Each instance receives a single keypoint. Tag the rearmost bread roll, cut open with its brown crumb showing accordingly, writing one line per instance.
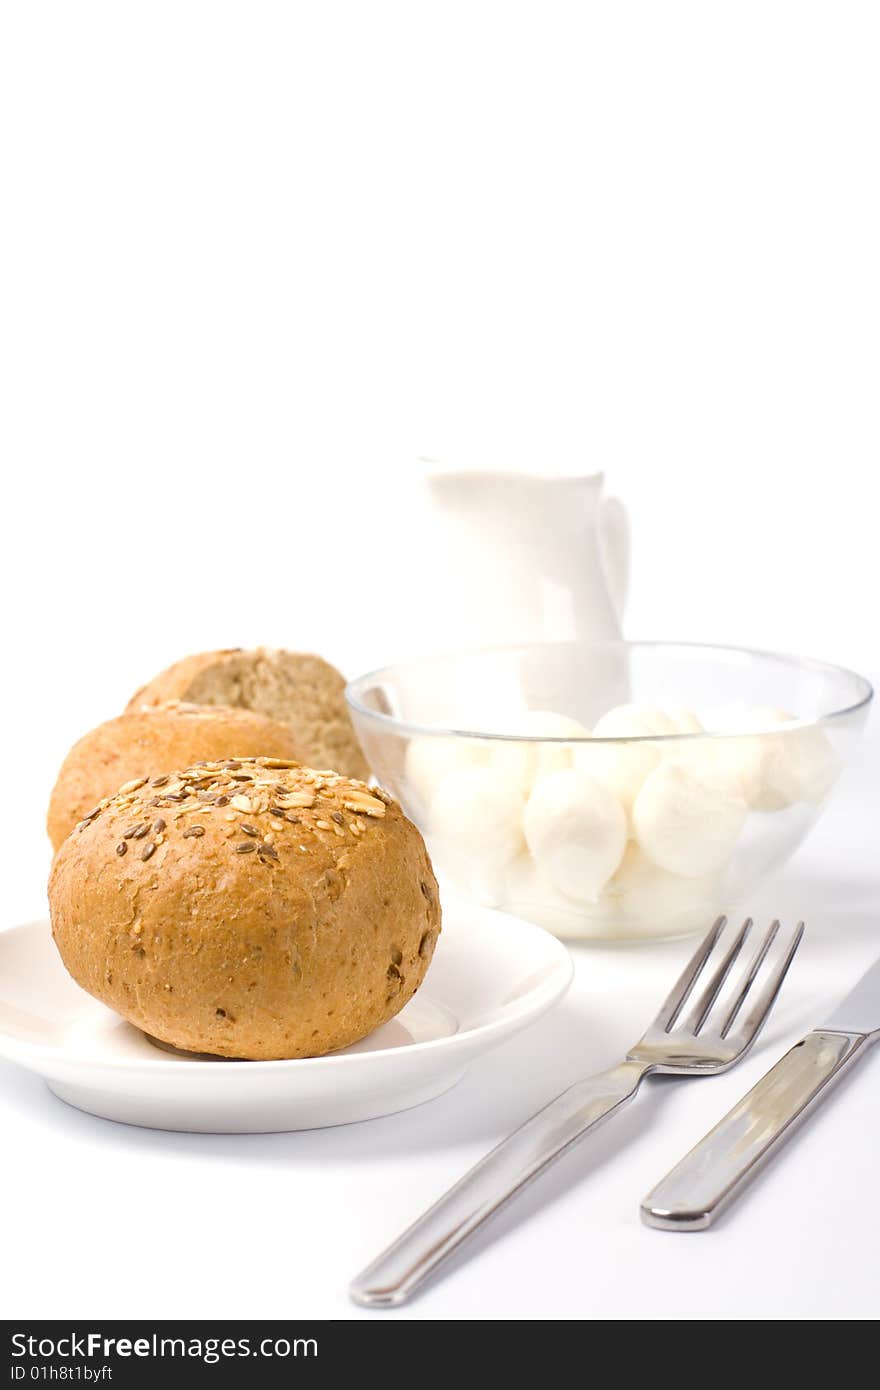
(297, 689)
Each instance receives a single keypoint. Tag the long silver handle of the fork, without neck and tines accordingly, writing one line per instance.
(419, 1252)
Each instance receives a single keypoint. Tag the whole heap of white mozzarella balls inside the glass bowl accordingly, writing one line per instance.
(628, 837)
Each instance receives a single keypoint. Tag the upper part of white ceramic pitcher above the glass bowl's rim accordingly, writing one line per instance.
(525, 558)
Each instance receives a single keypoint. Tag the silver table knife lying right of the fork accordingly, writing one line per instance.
(703, 1185)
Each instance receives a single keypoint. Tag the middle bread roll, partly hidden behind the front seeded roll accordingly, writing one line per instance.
(149, 743)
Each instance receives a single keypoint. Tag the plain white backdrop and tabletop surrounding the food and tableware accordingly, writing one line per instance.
(258, 258)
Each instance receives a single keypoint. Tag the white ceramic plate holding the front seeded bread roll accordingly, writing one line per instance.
(491, 976)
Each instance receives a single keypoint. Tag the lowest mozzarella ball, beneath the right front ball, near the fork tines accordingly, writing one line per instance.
(654, 903)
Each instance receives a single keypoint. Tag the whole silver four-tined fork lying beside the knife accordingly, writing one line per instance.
(700, 1045)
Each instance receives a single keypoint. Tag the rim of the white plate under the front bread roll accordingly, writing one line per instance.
(519, 1014)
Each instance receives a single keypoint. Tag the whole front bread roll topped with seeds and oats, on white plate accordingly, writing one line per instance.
(248, 908)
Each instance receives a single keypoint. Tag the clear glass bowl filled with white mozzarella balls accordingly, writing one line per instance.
(639, 833)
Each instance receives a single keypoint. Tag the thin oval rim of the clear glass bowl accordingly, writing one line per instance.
(807, 664)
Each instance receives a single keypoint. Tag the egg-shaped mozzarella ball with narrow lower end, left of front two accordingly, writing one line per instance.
(576, 832)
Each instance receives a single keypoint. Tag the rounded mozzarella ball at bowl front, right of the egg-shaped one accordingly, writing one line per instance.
(685, 825)
